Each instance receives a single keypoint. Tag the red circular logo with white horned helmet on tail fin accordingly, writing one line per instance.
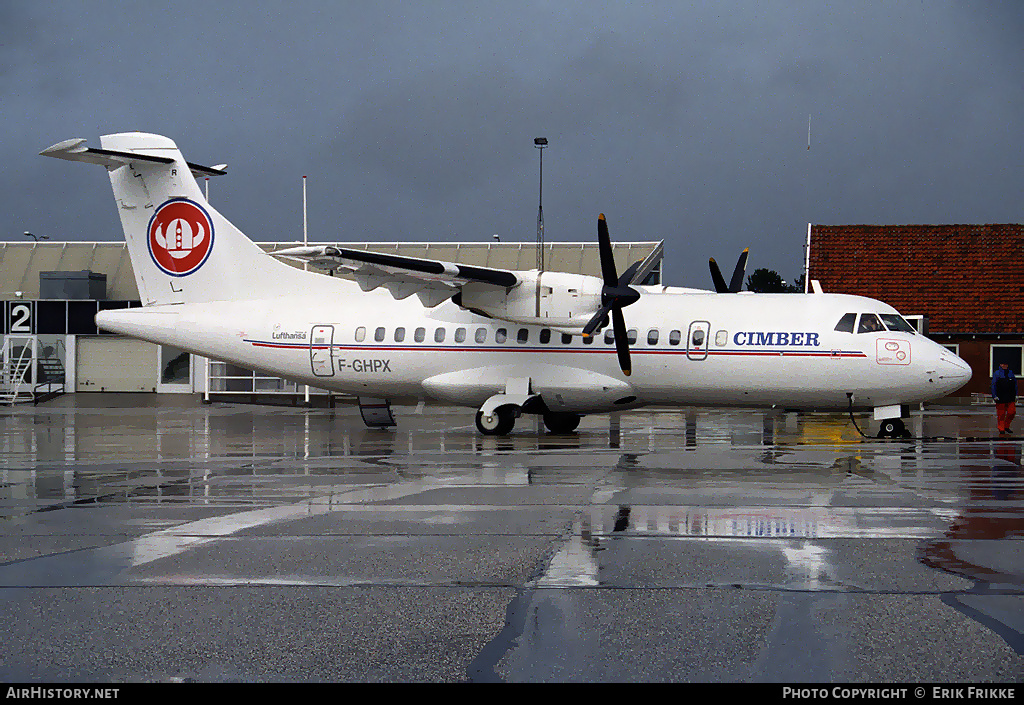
(181, 237)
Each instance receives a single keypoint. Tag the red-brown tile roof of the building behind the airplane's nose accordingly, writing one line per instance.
(968, 279)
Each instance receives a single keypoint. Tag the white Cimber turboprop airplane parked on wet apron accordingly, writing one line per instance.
(505, 343)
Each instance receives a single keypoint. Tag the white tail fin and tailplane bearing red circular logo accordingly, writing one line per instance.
(183, 250)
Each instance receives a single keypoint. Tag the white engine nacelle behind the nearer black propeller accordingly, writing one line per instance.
(568, 302)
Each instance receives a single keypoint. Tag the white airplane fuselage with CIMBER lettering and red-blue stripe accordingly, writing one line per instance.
(691, 349)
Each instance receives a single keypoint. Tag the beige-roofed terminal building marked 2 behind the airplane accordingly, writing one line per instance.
(51, 293)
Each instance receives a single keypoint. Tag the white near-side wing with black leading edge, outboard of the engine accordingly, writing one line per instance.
(434, 281)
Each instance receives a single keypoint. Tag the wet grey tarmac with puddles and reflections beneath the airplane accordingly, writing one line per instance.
(149, 538)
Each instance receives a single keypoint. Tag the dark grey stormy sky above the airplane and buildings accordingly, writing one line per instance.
(684, 122)
